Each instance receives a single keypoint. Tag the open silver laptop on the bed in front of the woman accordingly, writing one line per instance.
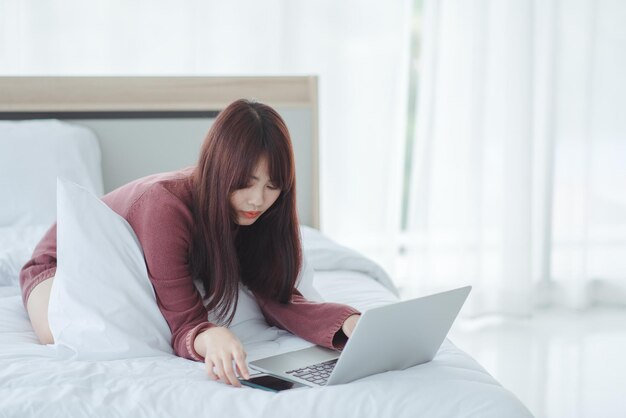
(390, 337)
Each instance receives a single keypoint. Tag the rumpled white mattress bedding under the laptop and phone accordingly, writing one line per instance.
(36, 380)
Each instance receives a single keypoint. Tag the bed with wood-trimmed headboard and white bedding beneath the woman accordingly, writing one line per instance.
(137, 126)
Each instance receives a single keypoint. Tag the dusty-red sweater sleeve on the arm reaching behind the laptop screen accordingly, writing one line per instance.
(319, 323)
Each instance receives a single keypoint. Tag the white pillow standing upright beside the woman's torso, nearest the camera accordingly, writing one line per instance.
(102, 304)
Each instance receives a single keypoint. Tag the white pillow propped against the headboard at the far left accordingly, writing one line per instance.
(32, 154)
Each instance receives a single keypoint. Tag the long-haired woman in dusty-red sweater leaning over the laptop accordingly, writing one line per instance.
(232, 218)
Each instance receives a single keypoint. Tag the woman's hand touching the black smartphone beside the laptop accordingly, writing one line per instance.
(221, 347)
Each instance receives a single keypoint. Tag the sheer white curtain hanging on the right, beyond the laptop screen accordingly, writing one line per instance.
(519, 169)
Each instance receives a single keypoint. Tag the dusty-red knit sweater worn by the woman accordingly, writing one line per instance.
(158, 208)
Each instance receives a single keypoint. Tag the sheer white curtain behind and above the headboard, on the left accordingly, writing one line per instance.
(358, 48)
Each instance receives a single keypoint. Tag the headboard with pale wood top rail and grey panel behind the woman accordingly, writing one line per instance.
(152, 124)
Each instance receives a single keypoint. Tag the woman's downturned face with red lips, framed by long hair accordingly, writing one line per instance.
(259, 195)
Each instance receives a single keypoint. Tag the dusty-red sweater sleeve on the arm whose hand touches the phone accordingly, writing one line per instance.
(163, 226)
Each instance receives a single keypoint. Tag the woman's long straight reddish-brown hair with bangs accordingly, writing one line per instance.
(265, 256)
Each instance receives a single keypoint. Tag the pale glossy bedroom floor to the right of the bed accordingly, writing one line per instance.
(558, 363)
